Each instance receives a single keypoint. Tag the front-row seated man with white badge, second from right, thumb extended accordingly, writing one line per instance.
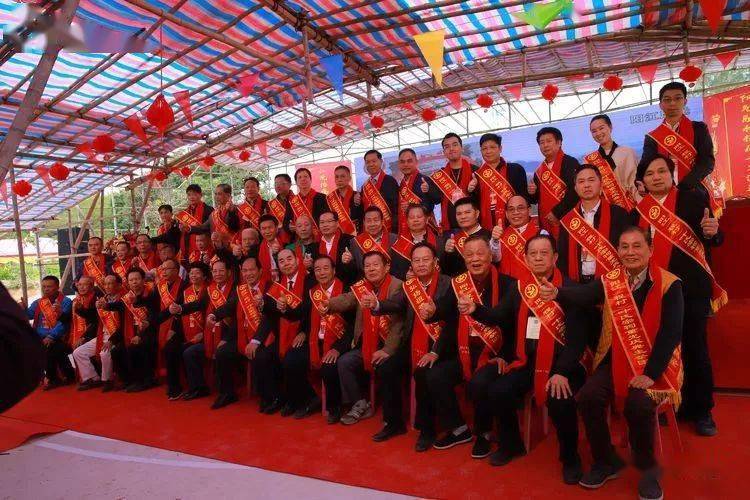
(546, 348)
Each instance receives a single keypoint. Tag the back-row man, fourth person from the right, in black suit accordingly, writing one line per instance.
(496, 182)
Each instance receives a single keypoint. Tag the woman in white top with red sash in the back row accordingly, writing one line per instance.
(616, 163)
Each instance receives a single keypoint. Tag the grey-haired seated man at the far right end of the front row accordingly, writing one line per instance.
(636, 362)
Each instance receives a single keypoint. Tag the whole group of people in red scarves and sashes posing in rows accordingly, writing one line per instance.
(599, 302)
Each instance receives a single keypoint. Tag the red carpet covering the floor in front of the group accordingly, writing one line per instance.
(709, 468)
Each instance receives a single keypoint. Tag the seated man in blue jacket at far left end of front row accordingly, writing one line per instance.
(51, 321)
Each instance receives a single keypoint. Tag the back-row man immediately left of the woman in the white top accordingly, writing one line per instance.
(554, 181)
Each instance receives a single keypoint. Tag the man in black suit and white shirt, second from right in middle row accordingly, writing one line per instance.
(607, 219)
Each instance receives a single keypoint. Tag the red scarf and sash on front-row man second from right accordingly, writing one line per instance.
(552, 319)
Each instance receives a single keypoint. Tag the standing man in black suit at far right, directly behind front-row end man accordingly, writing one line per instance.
(698, 290)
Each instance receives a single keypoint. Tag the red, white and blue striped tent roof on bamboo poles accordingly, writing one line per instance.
(211, 49)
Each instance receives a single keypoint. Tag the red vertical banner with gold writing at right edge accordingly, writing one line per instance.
(728, 118)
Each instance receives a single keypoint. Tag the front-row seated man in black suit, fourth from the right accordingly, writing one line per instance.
(426, 283)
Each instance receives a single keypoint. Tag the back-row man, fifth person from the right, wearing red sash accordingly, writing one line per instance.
(453, 180)
